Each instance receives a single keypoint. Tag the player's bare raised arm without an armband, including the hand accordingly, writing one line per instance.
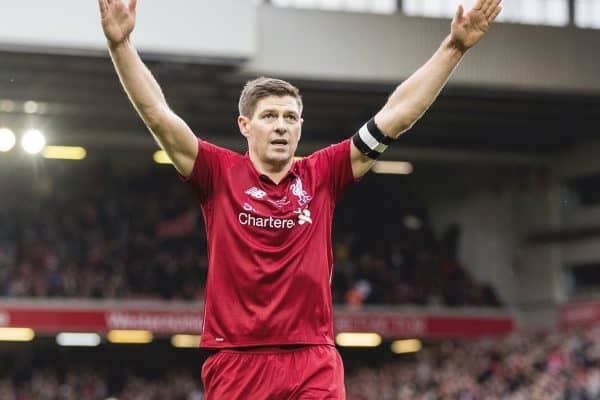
(171, 132)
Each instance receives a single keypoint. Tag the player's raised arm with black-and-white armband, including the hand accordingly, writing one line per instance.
(414, 96)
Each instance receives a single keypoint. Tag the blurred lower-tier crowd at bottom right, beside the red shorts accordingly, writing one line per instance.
(524, 367)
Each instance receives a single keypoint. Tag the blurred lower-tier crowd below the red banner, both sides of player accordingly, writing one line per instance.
(563, 366)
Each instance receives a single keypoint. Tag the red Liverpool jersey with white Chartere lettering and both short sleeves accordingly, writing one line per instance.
(269, 247)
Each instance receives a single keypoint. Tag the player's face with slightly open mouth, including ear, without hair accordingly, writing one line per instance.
(273, 131)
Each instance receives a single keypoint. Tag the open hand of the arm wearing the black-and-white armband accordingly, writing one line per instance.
(469, 28)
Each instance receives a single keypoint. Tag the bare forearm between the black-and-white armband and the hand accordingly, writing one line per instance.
(414, 96)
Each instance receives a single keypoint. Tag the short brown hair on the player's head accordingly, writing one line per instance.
(262, 87)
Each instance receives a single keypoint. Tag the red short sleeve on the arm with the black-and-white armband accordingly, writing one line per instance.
(334, 164)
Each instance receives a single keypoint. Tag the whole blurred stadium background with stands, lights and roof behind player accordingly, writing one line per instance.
(468, 263)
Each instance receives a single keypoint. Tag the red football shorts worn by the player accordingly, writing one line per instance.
(307, 372)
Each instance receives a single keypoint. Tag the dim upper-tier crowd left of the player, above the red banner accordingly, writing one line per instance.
(98, 234)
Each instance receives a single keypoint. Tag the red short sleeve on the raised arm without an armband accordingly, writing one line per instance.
(208, 167)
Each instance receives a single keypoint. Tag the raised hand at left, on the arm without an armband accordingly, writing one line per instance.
(118, 20)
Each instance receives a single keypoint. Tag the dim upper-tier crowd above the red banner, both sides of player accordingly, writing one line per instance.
(94, 232)
